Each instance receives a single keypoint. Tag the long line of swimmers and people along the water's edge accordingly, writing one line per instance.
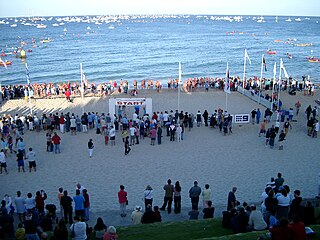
(72, 89)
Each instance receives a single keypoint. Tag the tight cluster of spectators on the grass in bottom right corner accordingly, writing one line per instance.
(282, 212)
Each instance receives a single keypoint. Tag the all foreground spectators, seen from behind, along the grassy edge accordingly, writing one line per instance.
(282, 212)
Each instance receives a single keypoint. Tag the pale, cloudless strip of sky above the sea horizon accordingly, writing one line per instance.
(18, 8)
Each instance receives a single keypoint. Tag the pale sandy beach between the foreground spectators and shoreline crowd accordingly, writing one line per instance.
(240, 159)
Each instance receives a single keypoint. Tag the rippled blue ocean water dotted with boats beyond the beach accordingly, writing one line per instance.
(132, 47)
